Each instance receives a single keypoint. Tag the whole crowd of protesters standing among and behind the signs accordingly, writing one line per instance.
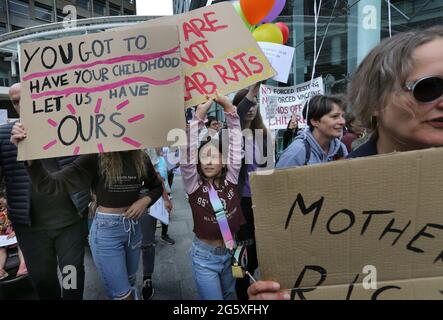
(394, 103)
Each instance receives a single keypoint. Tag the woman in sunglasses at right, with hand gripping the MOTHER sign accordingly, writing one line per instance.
(397, 92)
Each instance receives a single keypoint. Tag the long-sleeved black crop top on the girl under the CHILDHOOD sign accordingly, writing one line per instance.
(84, 173)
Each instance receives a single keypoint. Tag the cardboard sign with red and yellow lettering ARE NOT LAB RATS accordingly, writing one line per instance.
(218, 52)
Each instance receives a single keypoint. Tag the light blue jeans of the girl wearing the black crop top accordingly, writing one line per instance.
(115, 245)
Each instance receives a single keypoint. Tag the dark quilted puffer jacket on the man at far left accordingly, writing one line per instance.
(18, 184)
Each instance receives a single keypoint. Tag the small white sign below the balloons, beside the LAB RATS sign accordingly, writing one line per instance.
(280, 57)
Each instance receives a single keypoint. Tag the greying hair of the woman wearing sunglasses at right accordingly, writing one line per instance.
(380, 78)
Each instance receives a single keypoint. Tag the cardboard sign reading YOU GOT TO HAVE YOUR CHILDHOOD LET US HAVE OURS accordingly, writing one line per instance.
(110, 91)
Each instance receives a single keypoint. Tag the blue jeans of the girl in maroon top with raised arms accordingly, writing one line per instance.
(211, 268)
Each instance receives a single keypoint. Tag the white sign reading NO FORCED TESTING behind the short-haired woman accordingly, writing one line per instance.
(290, 100)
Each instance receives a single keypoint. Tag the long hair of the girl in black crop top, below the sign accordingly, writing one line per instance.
(111, 165)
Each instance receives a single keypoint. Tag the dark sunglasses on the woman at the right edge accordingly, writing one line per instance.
(426, 90)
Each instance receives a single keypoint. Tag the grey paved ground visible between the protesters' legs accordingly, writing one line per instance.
(172, 274)
